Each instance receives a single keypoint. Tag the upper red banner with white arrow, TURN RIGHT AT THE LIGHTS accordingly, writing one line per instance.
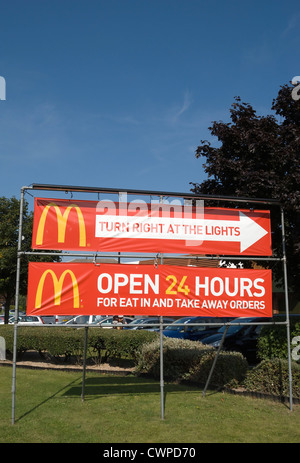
(105, 226)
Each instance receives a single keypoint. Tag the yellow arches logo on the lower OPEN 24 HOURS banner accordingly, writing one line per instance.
(57, 283)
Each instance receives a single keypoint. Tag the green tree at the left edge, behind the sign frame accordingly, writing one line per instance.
(9, 233)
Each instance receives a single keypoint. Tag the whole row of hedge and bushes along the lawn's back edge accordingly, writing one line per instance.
(184, 361)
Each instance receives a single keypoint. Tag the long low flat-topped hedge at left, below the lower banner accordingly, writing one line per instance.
(64, 343)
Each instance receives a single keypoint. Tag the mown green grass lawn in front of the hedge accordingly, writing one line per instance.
(127, 409)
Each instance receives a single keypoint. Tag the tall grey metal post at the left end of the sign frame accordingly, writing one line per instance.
(13, 389)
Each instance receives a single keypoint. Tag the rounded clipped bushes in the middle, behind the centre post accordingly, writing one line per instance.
(190, 361)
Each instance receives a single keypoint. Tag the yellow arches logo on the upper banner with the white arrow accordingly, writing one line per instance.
(61, 224)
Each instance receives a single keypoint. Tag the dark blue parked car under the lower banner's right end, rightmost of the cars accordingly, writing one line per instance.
(240, 338)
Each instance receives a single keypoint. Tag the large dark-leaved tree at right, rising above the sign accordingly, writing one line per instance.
(259, 157)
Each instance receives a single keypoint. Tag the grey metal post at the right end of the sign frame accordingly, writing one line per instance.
(287, 310)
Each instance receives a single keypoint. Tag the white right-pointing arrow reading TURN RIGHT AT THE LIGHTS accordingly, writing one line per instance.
(245, 231)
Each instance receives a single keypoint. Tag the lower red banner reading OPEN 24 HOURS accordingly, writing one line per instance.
(130, 289)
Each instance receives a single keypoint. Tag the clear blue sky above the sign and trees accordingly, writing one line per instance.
(119, 93)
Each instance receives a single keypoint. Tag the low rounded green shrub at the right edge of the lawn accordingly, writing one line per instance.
(272, 377)
